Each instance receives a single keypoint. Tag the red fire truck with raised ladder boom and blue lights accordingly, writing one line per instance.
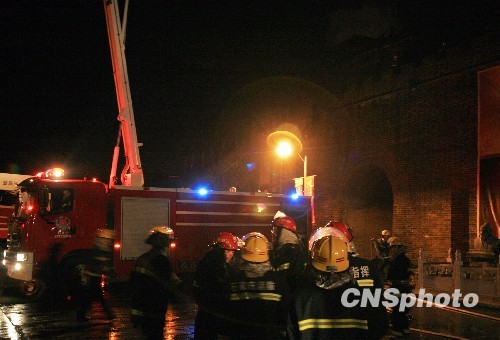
(56, 219)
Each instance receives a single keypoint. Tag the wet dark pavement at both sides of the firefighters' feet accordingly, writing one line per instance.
(55, 319)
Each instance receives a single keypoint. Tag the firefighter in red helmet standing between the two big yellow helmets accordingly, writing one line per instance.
(288, 255)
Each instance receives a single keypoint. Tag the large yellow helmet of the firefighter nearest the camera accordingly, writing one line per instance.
(329, 254)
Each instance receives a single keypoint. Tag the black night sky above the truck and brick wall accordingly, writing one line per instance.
(185, 60)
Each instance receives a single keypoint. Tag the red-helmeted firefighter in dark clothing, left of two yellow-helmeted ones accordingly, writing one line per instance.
(211, 286)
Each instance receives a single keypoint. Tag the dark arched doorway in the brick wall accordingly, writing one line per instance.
(368, 204)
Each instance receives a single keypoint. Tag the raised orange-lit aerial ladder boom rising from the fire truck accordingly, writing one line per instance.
(132, 172)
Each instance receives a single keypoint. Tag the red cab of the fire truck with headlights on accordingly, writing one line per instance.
(54, 222)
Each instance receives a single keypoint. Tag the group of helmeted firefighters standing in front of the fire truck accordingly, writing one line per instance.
(255, 288)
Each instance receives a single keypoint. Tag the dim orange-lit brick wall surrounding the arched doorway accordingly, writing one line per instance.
(420, 128)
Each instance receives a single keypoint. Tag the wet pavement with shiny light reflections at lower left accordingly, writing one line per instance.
(57, 320)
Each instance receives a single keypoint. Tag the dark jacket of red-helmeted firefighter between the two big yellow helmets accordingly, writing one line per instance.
(289, 260)
